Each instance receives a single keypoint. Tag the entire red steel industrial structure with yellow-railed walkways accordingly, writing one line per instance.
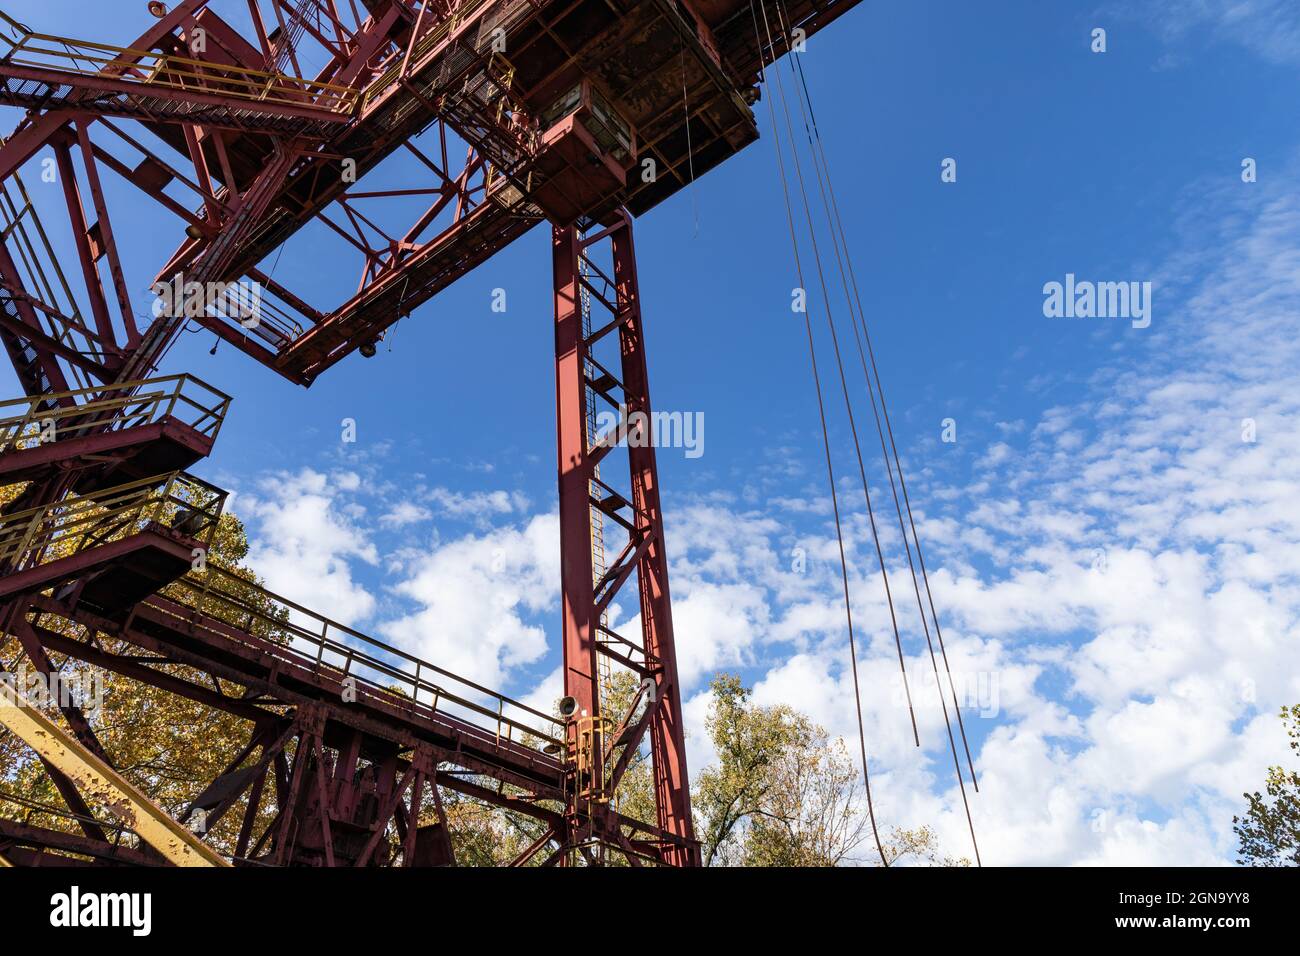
(245, 126)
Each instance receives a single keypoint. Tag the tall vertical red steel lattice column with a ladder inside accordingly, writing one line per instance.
(590, 590)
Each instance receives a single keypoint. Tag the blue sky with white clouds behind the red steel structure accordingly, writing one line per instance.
(1110, 557)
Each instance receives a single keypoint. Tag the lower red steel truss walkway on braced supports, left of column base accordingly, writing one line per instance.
(352, 784)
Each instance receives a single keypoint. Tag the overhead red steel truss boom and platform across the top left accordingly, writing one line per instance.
(231, 113)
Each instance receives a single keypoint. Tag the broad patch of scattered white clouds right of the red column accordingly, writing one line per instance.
(1128, 569)
